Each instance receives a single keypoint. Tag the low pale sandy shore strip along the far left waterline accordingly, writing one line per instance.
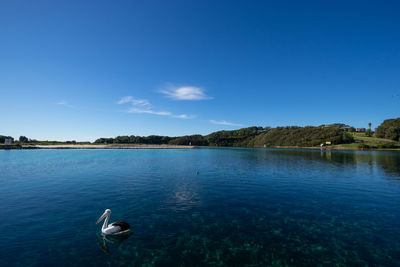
(110, 146)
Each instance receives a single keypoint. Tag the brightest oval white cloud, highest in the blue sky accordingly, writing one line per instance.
(185, 93)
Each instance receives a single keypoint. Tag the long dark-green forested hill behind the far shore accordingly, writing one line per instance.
(247, 137)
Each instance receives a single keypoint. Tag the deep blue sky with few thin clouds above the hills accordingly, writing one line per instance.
(87, 69)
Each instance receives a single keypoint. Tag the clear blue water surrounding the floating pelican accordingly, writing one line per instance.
(246, 206)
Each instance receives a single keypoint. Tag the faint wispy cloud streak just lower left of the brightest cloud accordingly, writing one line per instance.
(143, 106)
